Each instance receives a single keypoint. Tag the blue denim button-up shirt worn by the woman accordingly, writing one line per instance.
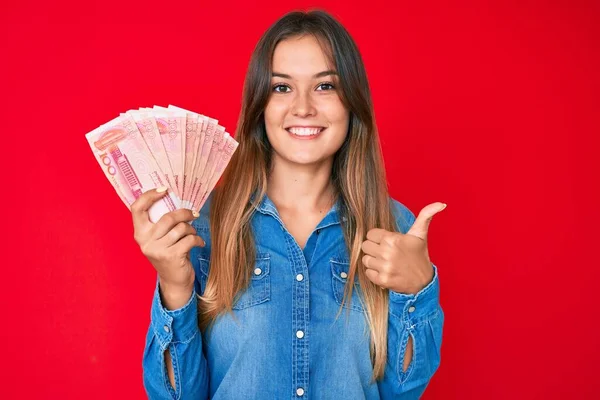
(283, 340)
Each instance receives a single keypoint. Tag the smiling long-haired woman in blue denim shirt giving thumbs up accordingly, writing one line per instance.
(303, 209)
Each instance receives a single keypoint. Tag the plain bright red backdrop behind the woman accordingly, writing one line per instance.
(491, 108)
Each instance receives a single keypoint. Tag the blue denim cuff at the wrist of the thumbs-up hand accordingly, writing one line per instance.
(416, 306)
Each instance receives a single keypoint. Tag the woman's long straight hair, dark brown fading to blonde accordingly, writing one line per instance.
(358, 177)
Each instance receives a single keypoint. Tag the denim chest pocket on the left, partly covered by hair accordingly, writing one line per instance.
(259, 289)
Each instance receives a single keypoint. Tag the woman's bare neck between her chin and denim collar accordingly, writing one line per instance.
(301, 187)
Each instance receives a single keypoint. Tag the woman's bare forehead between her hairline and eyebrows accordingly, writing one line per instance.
(300, 56)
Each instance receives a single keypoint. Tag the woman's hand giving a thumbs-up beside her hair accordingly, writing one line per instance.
(400, 262)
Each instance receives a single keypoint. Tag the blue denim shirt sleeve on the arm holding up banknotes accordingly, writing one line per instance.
(178, 331)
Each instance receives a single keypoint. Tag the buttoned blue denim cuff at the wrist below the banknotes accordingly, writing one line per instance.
(174, 326)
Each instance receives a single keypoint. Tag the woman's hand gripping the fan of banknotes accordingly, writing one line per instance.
(167, 244)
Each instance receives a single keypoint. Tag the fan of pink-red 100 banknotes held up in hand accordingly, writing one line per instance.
(157, 147)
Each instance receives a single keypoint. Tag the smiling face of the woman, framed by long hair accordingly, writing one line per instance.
(305, 119)
